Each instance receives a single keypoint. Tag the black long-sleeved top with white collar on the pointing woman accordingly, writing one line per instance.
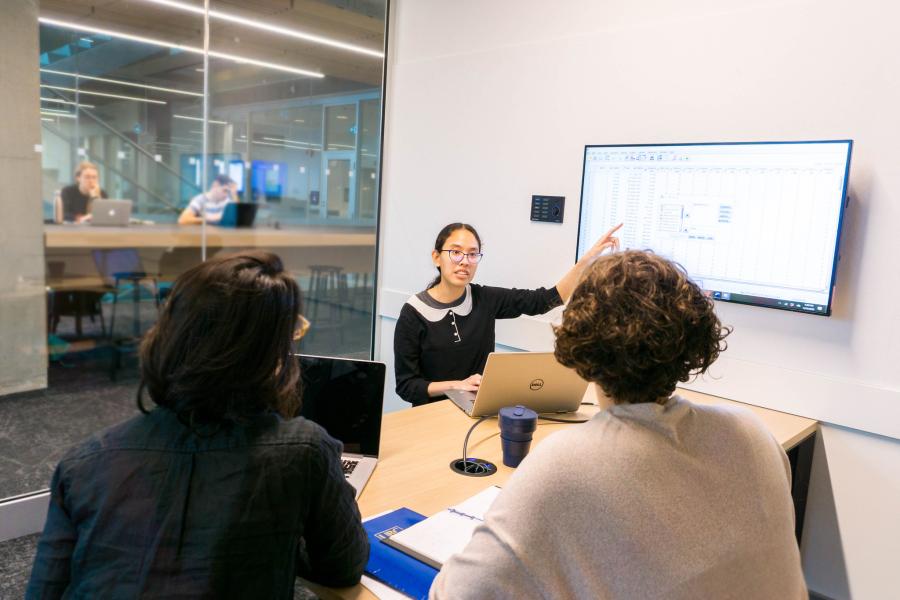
(434, 341)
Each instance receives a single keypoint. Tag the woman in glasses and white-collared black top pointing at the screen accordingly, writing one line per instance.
(444, 334)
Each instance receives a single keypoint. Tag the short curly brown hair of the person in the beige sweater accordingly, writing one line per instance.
(636, 325)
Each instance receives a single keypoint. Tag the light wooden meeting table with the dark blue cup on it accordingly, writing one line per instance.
(417, 446)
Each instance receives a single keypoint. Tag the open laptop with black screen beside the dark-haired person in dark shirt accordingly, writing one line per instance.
(346, 398)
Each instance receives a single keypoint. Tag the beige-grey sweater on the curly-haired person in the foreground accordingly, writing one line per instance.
(675, 501)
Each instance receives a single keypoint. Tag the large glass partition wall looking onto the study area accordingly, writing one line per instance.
(138, 120)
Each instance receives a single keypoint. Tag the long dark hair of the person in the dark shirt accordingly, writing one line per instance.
(221, 350)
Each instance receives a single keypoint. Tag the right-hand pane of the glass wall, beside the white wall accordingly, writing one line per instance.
(299, 139)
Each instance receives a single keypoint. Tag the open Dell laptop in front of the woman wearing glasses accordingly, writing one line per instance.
(532, 379)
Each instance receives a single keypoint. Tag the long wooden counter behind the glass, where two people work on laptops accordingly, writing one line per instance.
(189, 236)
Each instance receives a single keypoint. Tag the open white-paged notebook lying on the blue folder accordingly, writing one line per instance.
(434, 540)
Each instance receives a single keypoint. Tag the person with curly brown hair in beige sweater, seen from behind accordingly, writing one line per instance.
(654, 497)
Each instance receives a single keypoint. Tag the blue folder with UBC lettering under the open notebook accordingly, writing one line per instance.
(392, 567)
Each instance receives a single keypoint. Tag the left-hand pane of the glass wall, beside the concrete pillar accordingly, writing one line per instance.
(111, 101)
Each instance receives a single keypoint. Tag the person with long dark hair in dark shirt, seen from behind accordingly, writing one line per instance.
(217, 491)
